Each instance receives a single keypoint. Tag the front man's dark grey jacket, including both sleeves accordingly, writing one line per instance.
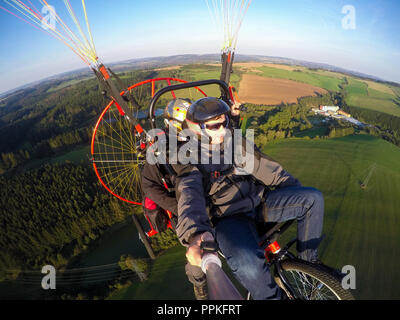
(229, 190)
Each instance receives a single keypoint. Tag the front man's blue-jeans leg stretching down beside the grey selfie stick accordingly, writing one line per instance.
(237, 238)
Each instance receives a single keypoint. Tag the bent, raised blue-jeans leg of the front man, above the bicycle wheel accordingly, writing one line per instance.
(307, 206)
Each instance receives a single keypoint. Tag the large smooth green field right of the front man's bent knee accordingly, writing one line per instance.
(361, 225)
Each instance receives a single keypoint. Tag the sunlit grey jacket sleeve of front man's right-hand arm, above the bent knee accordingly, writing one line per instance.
(270, 172)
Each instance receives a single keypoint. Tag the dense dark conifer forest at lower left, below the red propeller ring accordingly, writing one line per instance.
(51, 214)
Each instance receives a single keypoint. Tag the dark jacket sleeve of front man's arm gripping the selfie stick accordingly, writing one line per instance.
(192, 214)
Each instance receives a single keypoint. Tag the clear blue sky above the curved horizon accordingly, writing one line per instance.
(310, 30)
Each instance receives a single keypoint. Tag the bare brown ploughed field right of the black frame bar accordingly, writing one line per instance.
(270, 91)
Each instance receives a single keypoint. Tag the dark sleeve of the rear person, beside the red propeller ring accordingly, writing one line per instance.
(153, 188)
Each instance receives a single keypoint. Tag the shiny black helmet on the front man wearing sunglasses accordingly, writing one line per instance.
(206, 109)
